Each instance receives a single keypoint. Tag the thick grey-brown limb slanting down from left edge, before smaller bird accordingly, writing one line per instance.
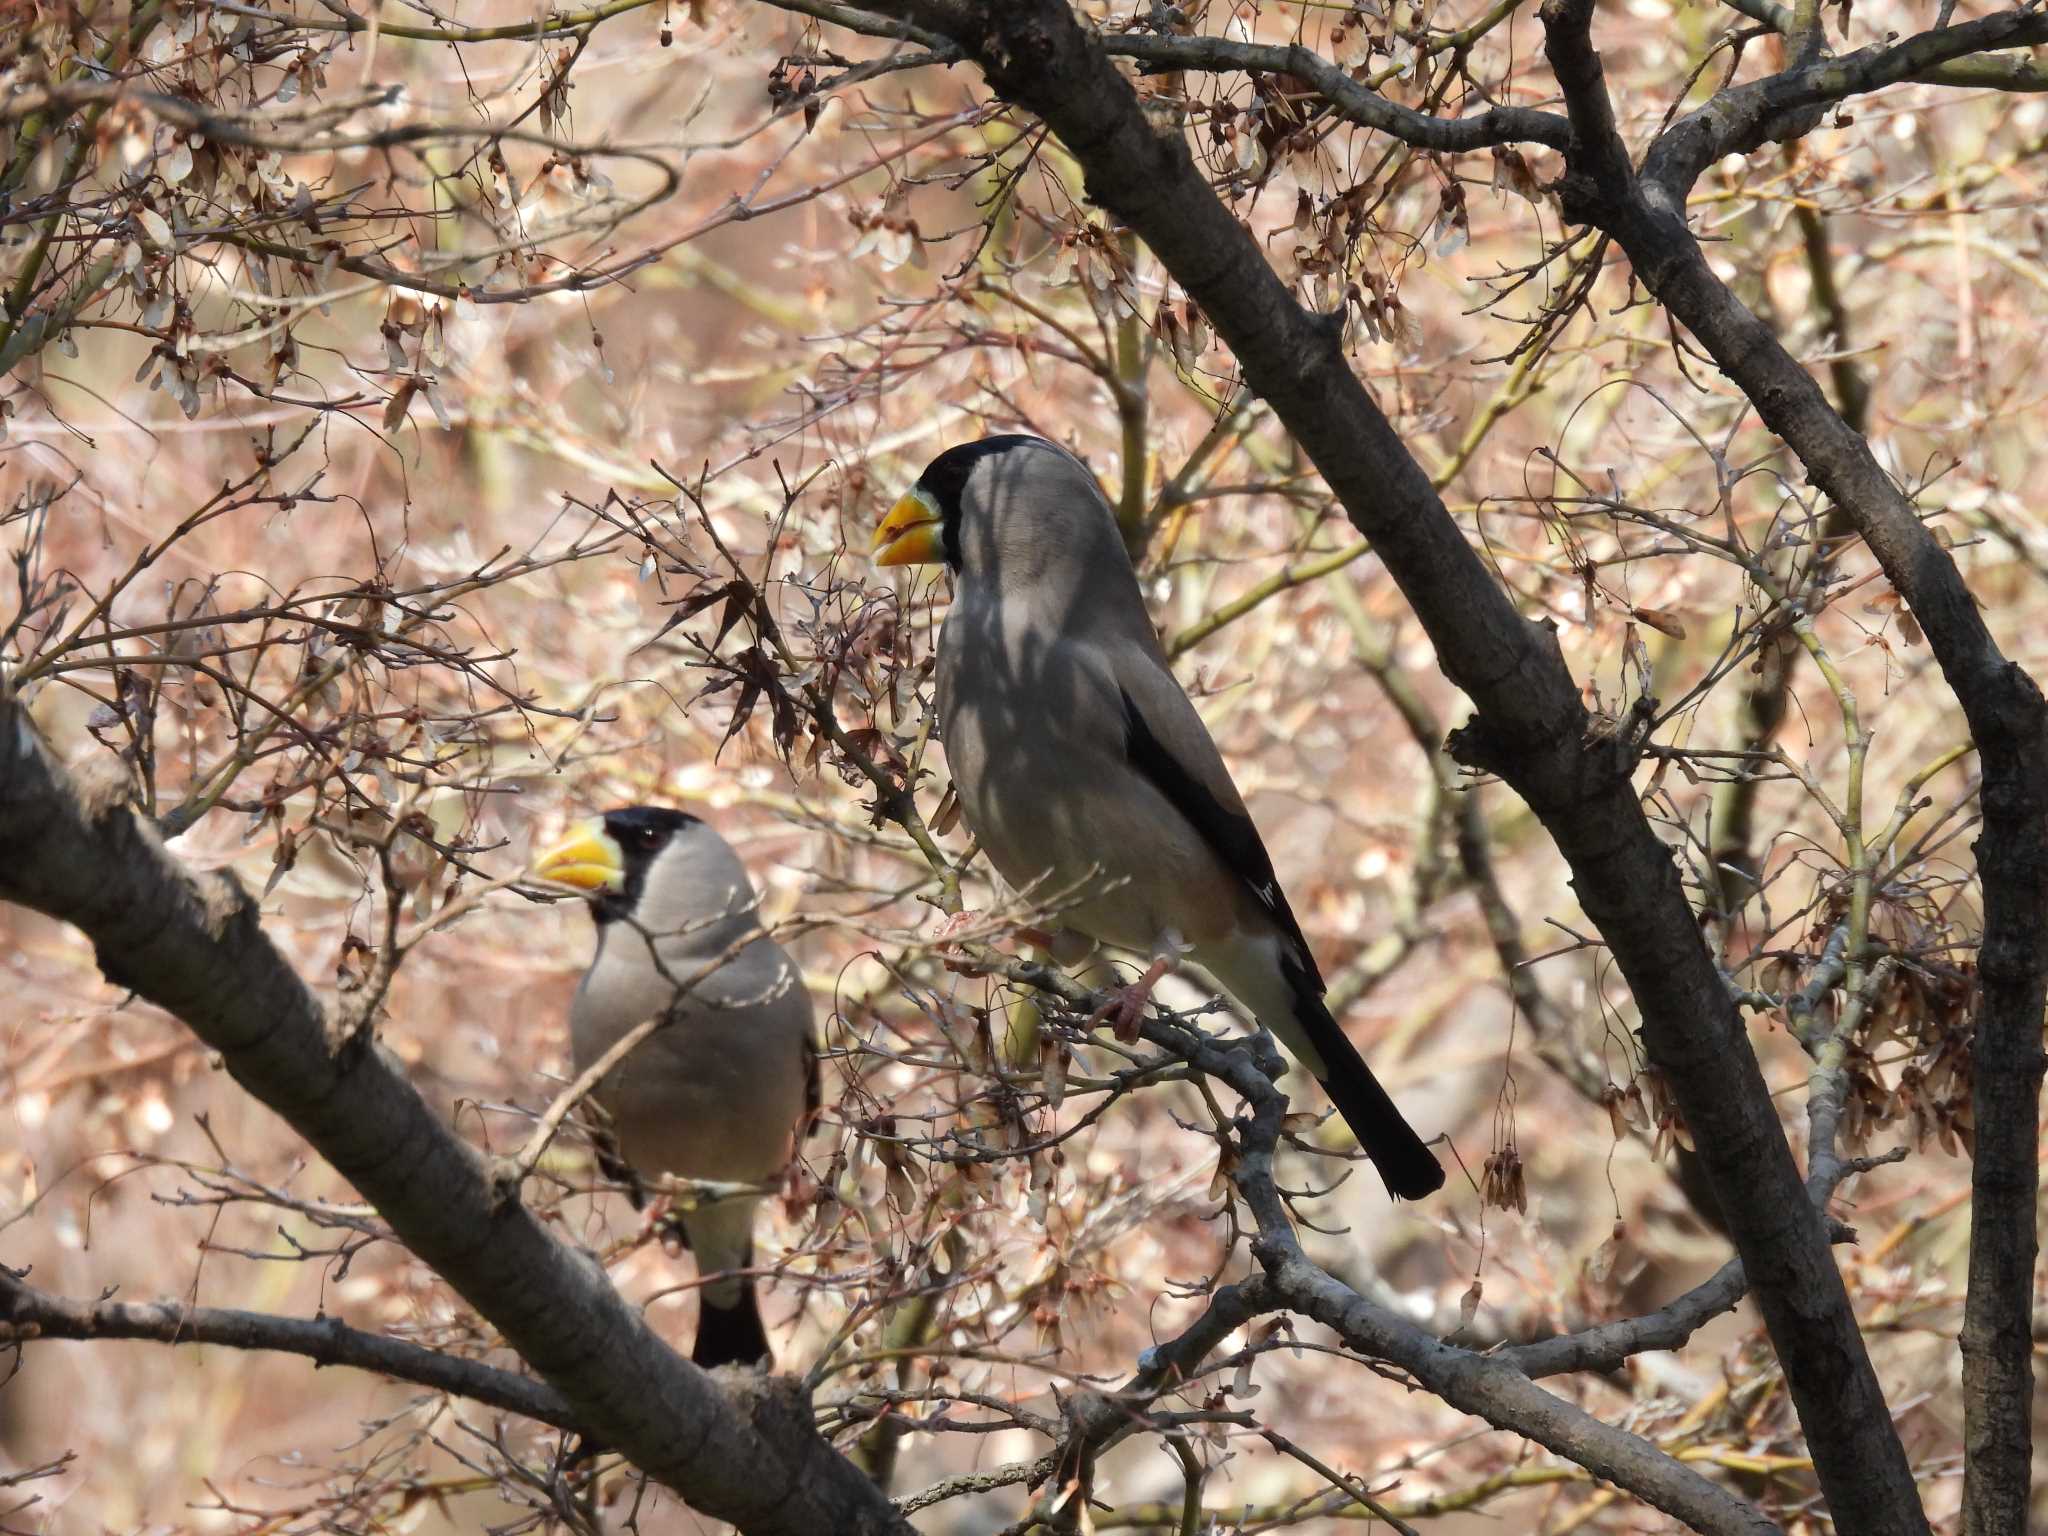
(196, 949)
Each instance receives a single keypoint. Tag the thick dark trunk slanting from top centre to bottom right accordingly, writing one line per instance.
(1531, 728)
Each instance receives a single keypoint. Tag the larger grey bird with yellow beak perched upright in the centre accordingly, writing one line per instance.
(1084, 769)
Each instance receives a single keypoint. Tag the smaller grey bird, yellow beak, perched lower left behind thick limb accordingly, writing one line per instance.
(722, 1089)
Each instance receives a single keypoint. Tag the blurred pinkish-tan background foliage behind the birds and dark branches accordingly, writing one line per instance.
(425, 425)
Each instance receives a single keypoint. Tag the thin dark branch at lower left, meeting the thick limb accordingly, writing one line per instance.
(30, 1314)
